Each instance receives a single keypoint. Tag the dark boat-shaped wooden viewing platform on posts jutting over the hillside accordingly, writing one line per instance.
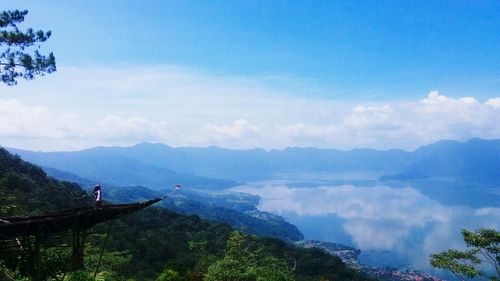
(26, 234)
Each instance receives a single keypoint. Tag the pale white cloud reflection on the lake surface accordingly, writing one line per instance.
(405, 205)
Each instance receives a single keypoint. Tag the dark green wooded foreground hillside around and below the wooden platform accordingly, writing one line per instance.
(153, 244)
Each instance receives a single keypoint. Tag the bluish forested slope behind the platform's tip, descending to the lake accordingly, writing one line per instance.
(237, 210)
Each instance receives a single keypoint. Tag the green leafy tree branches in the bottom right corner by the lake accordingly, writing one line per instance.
(483, 250)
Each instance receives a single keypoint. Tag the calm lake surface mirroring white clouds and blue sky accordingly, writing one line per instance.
(375, 219)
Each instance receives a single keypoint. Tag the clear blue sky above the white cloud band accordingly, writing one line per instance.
(377, 49)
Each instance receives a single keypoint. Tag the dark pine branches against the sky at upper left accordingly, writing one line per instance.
(20, 56)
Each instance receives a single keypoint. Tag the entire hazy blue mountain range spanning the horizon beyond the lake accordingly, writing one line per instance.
(155, 165)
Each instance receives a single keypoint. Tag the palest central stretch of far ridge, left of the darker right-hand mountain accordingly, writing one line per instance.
(254, 164)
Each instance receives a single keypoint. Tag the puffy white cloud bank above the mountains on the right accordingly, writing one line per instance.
(405, 125)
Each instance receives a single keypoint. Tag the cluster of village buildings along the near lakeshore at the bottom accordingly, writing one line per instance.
(349, 255)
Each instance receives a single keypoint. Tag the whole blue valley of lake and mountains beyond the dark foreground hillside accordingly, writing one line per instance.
(391, 221)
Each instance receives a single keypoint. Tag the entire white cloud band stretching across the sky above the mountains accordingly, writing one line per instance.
(182, 107)
